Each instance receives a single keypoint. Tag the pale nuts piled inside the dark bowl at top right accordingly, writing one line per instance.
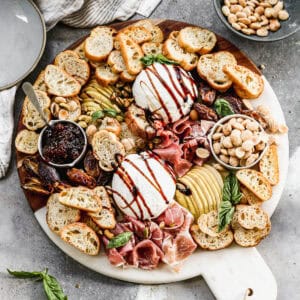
(255, 16)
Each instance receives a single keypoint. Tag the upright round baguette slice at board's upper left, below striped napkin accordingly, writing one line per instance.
(100, 43)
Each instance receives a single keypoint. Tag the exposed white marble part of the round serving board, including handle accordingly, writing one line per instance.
(228, 272)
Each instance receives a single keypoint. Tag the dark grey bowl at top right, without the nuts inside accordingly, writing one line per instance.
(288, 27)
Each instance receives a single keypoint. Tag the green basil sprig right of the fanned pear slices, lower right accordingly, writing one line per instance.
(231, 196)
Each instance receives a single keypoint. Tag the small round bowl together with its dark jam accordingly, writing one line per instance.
(62, 144)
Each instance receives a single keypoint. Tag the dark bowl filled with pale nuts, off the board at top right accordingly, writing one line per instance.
(260, 20)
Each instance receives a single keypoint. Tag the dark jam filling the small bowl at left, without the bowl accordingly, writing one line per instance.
(62, 143)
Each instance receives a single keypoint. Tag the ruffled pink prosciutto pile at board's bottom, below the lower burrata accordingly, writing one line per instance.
(166, 239)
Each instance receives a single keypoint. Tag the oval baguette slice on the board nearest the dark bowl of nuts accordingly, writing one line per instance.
(195, 39)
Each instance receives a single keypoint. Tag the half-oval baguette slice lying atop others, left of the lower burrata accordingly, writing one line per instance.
(81, 198)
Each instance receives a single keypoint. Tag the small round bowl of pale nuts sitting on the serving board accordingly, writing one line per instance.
(238, 142)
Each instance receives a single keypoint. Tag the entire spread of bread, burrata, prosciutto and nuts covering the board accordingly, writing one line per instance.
(177, 157)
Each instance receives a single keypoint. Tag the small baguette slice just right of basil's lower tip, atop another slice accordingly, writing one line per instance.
(251, 217)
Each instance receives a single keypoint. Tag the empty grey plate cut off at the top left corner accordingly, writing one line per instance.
(23, 39)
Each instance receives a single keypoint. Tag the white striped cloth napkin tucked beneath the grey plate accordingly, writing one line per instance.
(76, 13)
